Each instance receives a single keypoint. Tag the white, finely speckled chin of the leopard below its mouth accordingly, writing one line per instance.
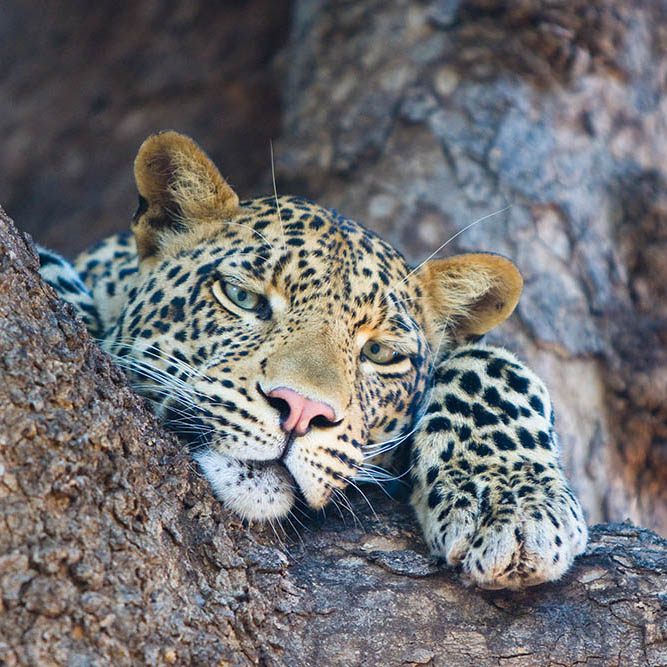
(255, 491)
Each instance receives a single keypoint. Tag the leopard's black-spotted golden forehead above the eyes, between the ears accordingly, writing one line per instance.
(296, 242)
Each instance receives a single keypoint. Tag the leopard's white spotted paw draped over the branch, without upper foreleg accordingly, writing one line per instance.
(505, 531)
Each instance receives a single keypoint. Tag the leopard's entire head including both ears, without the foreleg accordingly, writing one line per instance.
(289, 346)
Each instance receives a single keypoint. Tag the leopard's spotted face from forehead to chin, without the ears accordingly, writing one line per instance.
(303, 301)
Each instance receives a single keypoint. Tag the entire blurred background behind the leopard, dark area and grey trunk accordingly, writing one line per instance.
(418, 118)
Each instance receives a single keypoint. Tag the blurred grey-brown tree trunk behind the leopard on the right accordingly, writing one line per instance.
(420, 118)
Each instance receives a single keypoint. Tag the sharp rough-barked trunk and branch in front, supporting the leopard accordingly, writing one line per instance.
(112, 550)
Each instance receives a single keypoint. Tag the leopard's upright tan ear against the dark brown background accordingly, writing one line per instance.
(179, 187)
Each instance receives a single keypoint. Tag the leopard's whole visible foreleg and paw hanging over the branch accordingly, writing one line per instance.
(489, 490)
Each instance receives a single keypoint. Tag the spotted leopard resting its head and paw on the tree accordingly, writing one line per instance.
(297, 354)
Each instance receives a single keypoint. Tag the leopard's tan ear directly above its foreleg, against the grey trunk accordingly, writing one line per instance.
(468, 295)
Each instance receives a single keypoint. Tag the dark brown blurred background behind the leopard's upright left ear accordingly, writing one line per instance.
(83, 85)
